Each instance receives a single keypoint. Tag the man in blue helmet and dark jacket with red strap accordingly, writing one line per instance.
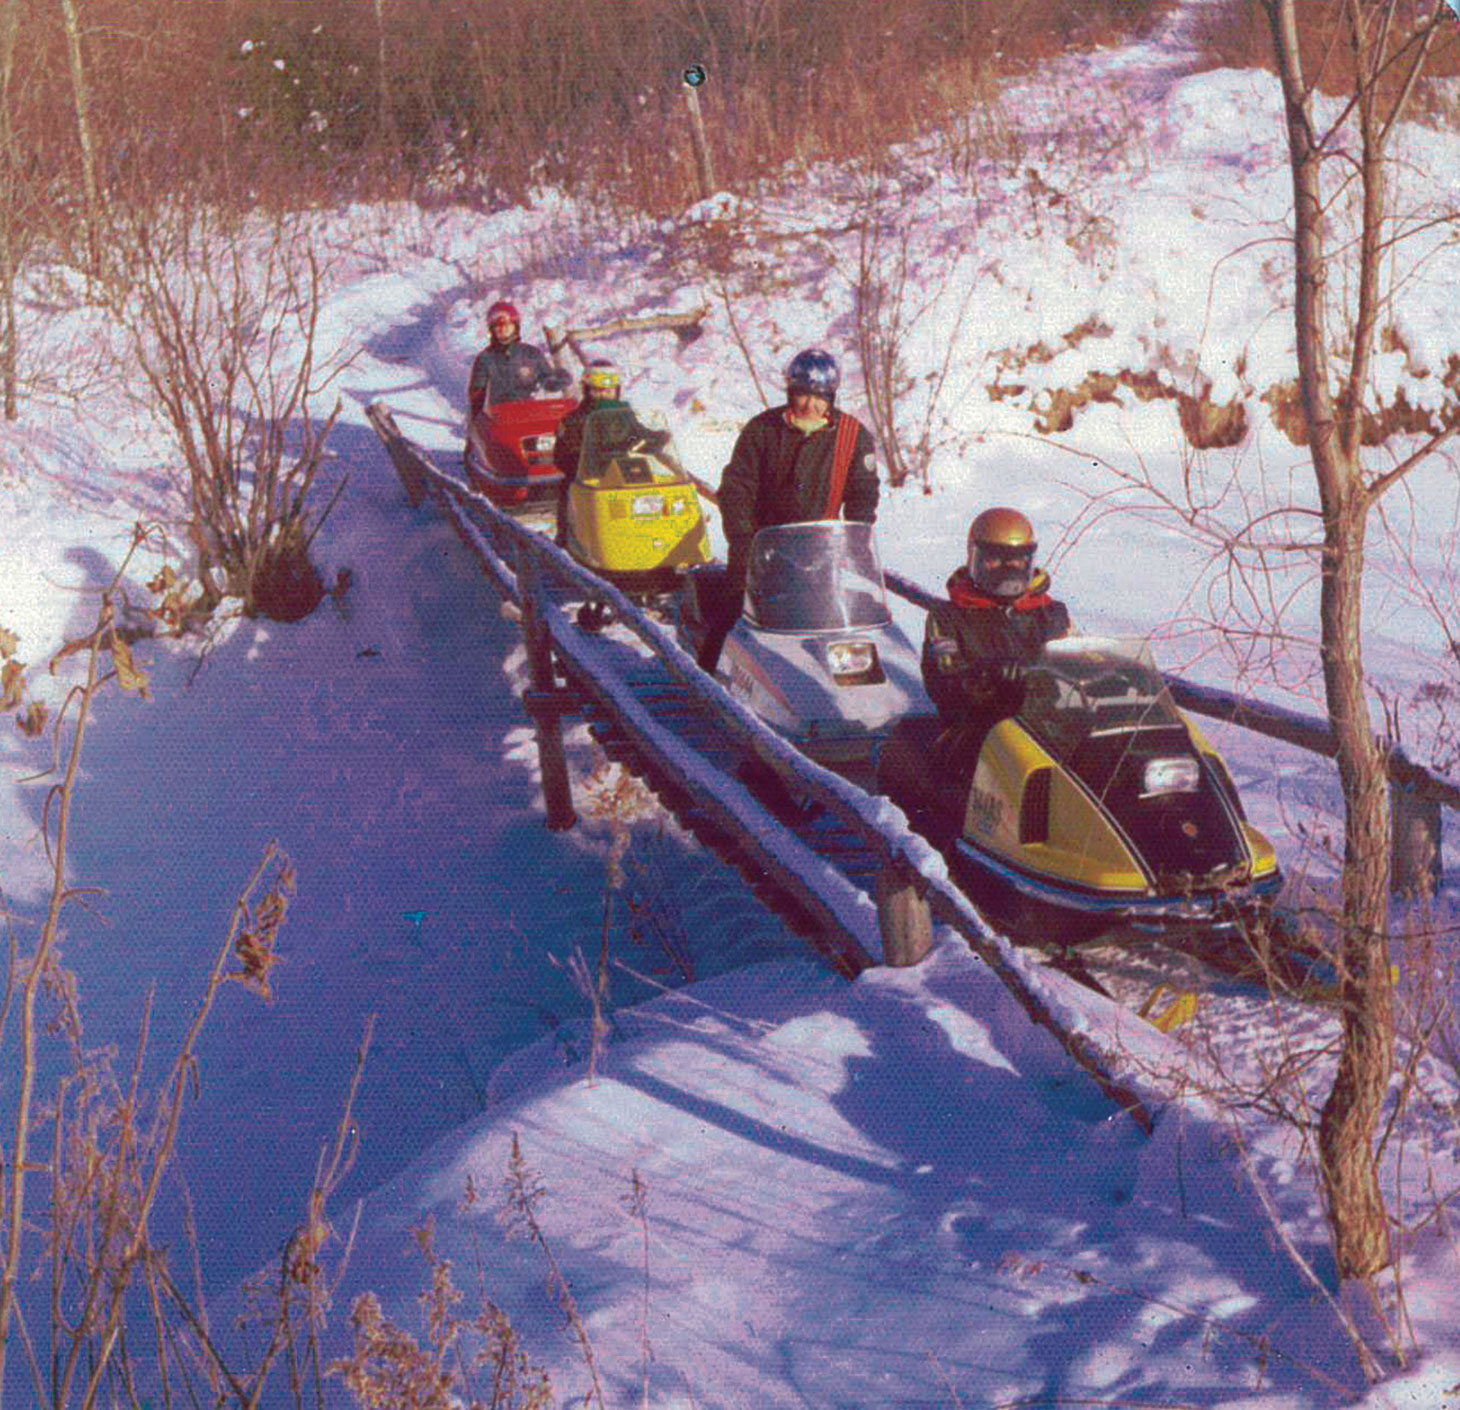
(792, 465)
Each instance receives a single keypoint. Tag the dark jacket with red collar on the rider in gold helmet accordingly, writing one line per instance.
(975, 646)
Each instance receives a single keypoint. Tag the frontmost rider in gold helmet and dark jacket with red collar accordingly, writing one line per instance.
(996, 621)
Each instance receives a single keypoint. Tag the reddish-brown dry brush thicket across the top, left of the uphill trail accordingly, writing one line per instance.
(278, 103)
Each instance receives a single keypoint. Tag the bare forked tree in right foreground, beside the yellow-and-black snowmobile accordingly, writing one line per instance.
(1389, 45)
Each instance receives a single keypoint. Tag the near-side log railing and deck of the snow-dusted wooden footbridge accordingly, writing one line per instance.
(842, 866)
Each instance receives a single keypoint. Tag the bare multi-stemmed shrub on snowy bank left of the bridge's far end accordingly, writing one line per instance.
(223, 323)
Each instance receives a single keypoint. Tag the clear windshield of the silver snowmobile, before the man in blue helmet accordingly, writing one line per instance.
(815, 579)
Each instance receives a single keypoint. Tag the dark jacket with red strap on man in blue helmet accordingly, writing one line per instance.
(779, 475)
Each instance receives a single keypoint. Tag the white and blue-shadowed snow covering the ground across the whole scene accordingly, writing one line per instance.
(894, 1192)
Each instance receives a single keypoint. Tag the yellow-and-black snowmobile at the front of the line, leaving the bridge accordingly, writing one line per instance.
(1099, 805)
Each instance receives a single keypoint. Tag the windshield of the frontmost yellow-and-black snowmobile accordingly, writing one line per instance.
(1083, 688)
